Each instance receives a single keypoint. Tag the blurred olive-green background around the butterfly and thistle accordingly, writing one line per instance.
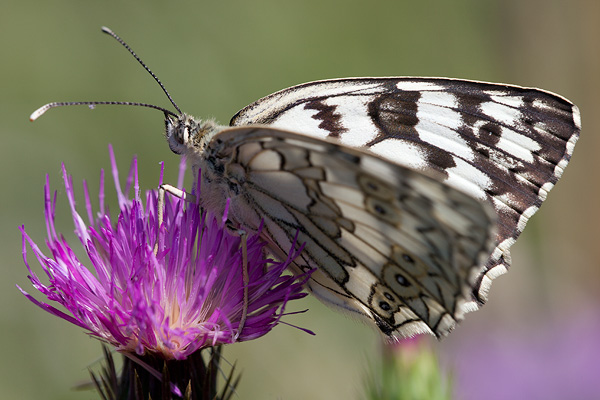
(216, 57)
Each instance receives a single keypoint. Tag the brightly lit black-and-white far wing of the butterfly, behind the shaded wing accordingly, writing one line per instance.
(503, 143)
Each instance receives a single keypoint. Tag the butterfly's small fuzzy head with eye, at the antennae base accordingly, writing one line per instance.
(186, 134)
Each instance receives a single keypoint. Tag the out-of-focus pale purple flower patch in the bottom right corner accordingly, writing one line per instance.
(557, 360)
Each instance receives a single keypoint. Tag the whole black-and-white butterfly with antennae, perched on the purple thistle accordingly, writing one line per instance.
(406, 193)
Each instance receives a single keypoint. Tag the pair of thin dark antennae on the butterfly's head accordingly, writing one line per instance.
(40, 111)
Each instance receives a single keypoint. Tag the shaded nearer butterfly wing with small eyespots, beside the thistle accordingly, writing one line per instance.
(390, 244)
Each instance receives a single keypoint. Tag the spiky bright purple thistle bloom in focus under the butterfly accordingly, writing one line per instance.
(188, 296)
